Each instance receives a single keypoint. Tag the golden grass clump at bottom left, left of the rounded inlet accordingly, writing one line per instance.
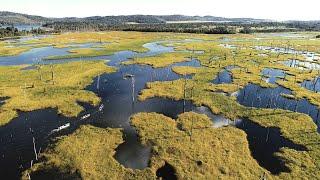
(86, 154)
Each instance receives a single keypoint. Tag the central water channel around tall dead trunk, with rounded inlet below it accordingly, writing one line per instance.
(116, 93)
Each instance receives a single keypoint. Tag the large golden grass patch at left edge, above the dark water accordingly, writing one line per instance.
(35, 89)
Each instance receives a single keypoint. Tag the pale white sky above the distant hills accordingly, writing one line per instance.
(265, 9)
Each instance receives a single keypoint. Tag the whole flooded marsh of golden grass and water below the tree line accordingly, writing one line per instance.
(132, 105)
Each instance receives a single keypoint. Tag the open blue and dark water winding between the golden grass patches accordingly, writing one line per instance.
(119, 97)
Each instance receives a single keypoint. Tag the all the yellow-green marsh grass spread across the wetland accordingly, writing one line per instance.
(224, 151)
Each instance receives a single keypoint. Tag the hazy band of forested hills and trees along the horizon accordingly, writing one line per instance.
(149, 23)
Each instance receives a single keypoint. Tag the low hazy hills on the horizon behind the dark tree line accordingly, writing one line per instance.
(8, 18)
